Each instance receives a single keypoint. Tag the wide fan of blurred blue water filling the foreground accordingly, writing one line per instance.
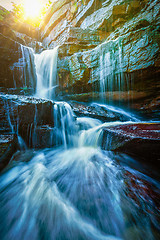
(75, 193)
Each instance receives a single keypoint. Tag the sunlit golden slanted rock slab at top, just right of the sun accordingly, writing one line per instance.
(62, 16)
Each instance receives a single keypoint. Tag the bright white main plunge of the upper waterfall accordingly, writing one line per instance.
(46, 70)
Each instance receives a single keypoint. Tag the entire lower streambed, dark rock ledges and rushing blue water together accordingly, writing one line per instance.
(96, 146)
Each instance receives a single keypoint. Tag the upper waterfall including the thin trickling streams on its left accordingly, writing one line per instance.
(37, 71)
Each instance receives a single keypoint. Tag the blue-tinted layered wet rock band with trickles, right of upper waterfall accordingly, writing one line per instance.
(122, 69)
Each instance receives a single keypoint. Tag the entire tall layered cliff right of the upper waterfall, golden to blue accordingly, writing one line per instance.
(106, 46)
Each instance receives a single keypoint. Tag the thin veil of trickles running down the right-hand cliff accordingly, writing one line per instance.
(111, 76)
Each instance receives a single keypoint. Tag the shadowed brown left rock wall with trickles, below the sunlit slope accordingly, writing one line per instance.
(17, 69)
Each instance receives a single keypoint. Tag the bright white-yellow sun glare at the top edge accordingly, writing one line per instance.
(32, 8)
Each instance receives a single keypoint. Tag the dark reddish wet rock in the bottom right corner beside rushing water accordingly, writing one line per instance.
(143, 195)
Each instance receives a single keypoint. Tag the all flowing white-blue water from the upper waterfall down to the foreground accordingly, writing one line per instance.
(74, 190)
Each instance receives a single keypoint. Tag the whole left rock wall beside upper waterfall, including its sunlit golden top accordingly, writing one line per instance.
(17, 68)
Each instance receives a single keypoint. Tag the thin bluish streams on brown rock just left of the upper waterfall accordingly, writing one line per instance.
(24, 74)
